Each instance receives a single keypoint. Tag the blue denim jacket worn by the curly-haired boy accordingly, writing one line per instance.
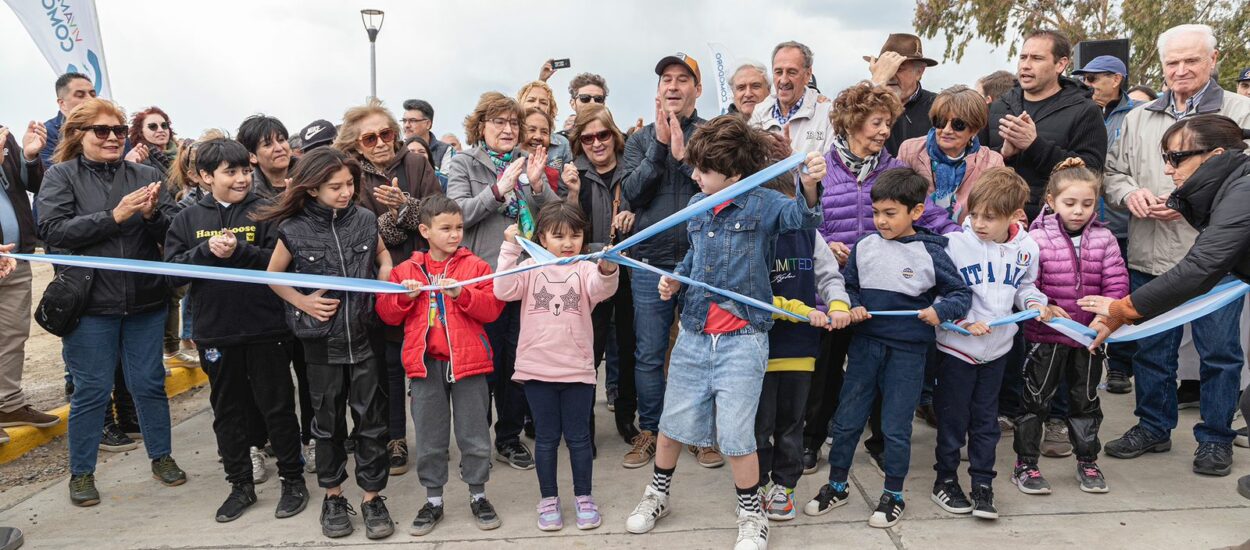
(732, 251)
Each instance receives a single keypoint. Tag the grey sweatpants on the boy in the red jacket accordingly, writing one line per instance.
(433, 402)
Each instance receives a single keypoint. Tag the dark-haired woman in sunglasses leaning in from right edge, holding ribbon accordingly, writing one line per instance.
(1206, 156)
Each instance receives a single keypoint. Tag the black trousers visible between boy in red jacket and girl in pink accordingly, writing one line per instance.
(511, 407)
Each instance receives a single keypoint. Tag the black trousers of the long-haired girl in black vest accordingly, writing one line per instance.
(334, 391)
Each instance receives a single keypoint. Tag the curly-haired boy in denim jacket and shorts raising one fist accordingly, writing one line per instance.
(722, 353)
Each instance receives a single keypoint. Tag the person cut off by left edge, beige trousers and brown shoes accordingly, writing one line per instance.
(21, 173)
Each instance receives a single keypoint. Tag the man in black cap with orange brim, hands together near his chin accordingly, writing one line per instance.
(658, 184)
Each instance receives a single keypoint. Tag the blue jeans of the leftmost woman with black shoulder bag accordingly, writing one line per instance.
(92, 353)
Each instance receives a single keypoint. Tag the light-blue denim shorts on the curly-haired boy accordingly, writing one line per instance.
(714, 389)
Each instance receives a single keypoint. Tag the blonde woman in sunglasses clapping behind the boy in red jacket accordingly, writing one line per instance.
(393, 182)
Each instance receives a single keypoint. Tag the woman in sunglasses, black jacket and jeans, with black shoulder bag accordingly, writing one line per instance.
(96, 204)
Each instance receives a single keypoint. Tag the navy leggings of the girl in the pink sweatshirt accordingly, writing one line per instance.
(562, 409)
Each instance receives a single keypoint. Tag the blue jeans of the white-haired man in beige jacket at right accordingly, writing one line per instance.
(1218, 341)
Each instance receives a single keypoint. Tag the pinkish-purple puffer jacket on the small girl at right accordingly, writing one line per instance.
(1064, 278)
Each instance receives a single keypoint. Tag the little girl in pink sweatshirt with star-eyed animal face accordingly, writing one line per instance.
(554, 353)
